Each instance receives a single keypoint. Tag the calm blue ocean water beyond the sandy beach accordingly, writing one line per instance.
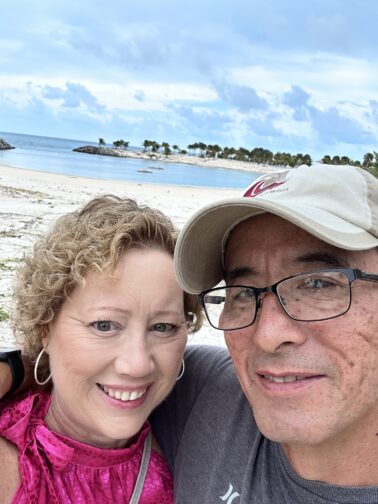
(55, 155)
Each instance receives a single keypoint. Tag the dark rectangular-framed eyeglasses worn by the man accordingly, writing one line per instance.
(307, 297)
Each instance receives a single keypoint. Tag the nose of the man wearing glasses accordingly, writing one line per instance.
(273, 329)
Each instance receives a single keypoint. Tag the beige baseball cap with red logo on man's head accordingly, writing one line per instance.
(338, 204)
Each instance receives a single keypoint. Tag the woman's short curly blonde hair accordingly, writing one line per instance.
(91, 238)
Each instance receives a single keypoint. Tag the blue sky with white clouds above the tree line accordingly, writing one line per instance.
(286, 75)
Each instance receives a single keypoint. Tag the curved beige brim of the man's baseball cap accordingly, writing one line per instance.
(198, 254)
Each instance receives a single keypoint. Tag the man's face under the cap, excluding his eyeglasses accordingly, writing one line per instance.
(335, 362)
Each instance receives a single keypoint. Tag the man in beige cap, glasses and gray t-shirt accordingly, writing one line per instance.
(298, 254)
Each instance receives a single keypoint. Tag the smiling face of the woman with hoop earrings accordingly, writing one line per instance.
(115, 349)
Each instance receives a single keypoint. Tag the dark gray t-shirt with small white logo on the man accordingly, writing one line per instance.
(216, 452)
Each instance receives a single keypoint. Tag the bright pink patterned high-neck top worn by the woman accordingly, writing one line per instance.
(57, 469)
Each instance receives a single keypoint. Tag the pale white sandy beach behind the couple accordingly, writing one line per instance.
(30, 201)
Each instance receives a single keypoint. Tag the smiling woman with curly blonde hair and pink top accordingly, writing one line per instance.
(98, 308)
